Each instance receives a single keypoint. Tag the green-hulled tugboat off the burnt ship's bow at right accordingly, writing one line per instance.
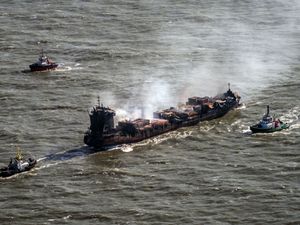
(268, 124)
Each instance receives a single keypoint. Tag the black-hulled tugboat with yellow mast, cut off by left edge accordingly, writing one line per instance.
(17, 165)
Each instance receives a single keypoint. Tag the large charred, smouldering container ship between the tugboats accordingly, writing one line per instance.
(103, 132)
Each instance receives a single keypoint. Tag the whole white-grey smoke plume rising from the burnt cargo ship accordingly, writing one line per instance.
(197, 50)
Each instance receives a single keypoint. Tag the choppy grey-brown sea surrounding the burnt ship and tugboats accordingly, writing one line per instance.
(151, 55)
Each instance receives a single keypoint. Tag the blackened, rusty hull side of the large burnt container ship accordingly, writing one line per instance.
(115, 139)
